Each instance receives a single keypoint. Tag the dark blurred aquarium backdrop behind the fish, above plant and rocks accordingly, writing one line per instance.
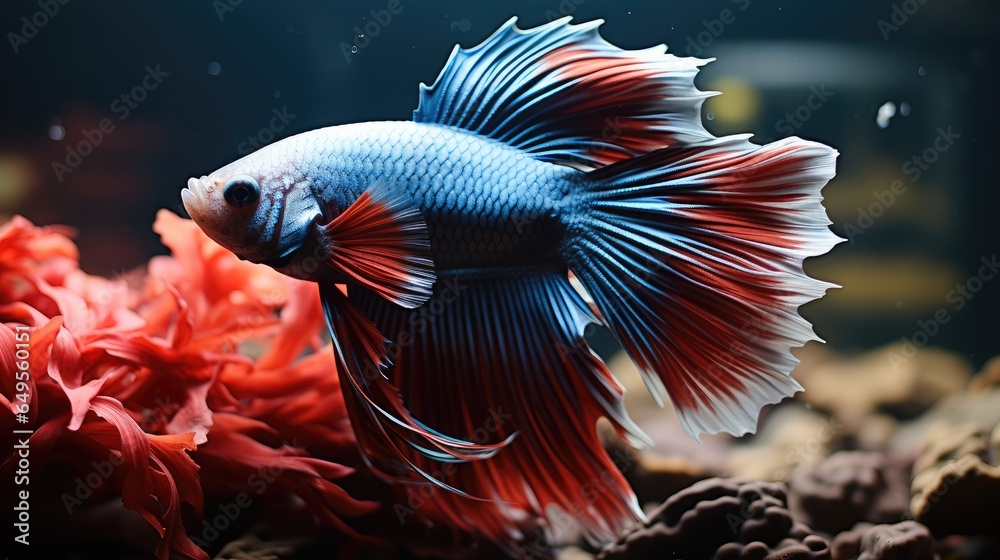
(110, 107)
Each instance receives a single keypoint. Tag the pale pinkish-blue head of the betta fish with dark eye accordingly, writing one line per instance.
(260, 214)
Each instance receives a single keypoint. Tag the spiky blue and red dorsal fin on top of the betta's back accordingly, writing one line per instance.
(564, 94)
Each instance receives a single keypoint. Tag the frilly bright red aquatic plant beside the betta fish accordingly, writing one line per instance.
(186, 378)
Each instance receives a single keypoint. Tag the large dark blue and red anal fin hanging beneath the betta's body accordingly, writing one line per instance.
(495, 357)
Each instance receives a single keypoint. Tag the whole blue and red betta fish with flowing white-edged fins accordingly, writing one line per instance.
(548, 181)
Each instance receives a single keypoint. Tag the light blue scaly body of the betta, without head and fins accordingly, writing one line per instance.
(486, 204)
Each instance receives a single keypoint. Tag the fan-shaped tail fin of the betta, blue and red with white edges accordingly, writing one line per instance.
(693, 255)
